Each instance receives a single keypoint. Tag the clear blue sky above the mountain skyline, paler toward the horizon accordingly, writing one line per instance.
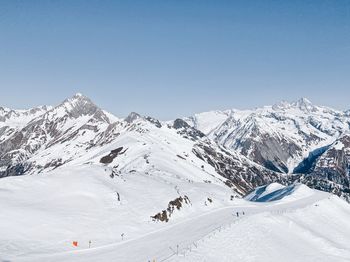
(173, 58)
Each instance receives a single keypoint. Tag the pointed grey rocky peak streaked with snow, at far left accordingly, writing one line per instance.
(54, 137)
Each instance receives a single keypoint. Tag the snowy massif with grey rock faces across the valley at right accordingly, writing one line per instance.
(287, 137)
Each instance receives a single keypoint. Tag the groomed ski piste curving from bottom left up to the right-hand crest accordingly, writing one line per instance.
(162, 244)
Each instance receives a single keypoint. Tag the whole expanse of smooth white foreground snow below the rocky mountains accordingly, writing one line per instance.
(42, 214)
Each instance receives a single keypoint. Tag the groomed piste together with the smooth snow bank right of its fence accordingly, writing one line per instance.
(305, 224)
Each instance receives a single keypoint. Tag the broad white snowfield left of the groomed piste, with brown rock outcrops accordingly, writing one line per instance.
(43, 213)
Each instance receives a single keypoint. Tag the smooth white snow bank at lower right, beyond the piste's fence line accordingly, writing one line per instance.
(316, 232)
